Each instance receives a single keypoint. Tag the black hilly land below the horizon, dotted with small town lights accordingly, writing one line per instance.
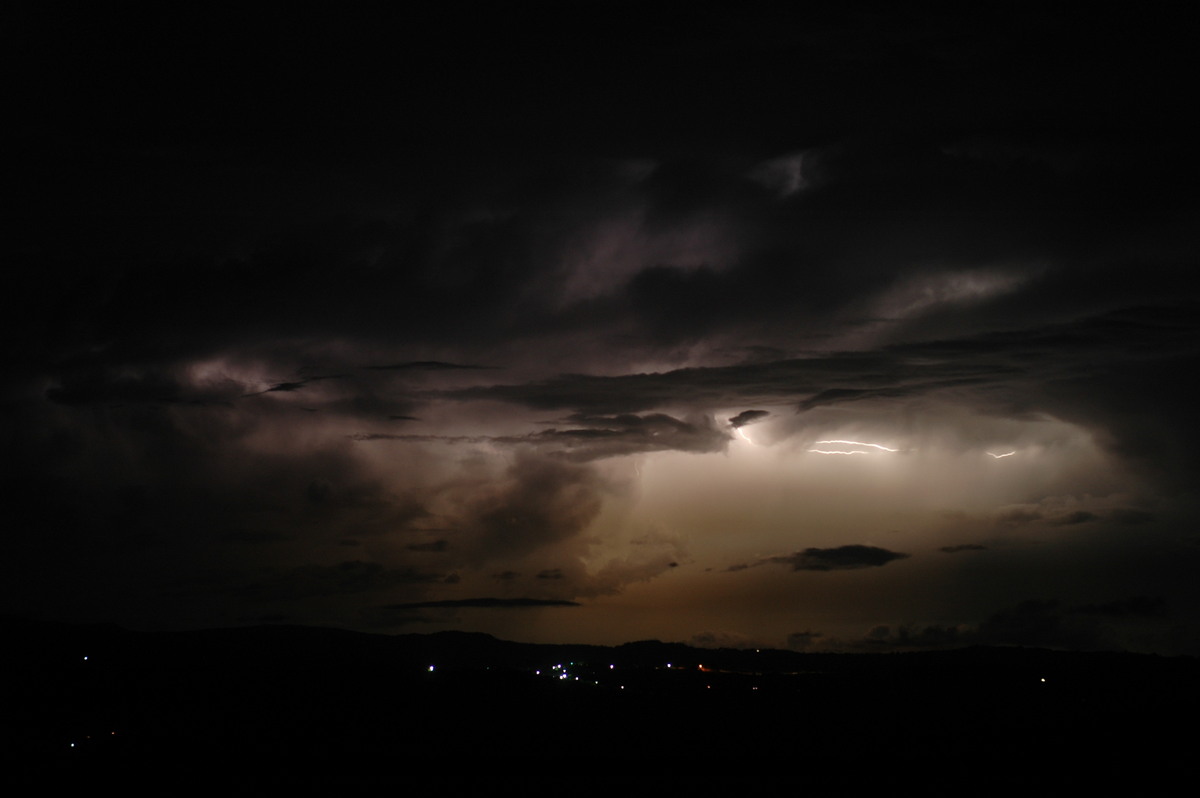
(283, 705)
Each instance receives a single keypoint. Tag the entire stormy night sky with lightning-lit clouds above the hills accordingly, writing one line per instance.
(861, 328)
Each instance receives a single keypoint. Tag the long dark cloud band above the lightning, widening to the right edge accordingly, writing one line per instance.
(1066, 370)
